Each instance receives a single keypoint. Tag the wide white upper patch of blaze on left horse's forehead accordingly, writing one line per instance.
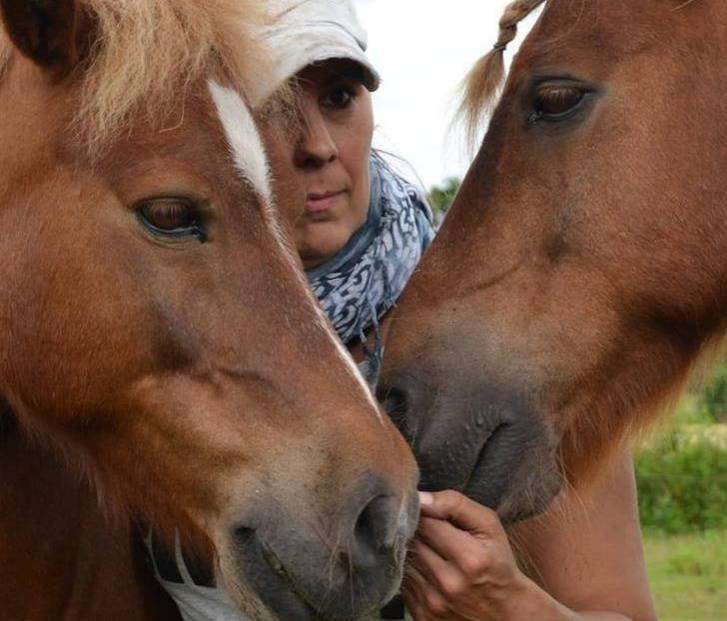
(245, 143)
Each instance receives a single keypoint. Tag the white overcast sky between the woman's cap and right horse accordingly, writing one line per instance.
(423, 49)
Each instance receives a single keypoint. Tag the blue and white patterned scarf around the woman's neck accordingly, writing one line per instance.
(364, 279)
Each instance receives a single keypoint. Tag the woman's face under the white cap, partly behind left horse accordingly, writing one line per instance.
(322, 166)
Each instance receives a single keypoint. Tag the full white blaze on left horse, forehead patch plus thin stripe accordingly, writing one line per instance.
(252, 162)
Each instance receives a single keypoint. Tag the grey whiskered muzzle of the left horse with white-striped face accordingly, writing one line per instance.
(345, 569)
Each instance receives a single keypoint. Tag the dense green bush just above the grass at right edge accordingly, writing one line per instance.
(682, 483)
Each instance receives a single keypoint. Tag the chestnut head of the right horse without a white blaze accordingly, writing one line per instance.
(581, 270)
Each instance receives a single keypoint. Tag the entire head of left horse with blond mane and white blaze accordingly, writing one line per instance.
(155, 324)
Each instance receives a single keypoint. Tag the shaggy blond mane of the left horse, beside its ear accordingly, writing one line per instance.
(144, 54)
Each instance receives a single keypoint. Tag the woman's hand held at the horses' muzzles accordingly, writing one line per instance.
(461, 566)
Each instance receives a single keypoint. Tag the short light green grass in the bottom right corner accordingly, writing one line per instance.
(688, 575)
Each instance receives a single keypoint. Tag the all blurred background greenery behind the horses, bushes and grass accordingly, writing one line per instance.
(681, 472)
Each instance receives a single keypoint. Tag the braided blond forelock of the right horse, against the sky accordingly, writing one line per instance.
(482, 85)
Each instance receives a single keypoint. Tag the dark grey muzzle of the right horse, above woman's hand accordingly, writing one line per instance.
(477, 437)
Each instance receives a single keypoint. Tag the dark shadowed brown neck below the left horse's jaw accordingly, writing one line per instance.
(59, 557)
